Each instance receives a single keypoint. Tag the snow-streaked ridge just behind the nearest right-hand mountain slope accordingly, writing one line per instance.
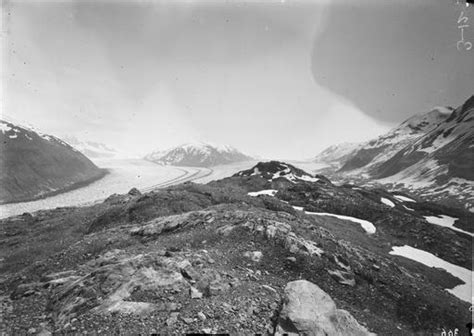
(374, 152)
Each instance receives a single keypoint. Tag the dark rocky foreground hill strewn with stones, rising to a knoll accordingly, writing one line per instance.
(242, 255)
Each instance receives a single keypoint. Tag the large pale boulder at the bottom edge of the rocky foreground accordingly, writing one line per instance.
(308, 310)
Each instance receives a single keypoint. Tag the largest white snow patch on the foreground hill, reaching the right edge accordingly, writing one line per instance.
(462, 291)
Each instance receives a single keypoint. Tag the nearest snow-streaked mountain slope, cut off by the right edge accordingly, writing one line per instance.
(441, 162)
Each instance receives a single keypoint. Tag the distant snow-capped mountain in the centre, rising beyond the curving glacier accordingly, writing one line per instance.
(198, 154)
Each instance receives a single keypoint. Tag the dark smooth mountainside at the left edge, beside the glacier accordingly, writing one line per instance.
(36, 165)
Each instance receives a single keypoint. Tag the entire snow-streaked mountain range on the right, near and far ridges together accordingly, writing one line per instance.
(430, 154)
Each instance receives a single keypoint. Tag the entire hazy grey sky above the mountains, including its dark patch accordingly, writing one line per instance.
(278, 79)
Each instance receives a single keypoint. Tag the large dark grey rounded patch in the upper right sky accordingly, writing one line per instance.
(394, 60)
